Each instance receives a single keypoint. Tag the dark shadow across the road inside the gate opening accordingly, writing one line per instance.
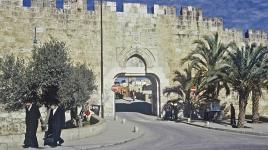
(141, 107)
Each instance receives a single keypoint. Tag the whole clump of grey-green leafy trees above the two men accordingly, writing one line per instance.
(49, 73)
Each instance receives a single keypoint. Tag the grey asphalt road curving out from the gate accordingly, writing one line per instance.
(167, 135)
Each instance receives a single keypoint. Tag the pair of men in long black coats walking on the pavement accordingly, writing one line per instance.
(54, 123)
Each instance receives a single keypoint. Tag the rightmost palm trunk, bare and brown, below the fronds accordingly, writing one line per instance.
(255, 106)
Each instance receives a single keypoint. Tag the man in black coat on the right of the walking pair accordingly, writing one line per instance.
(56, 123)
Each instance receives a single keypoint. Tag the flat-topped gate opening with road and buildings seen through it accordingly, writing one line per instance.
(137, 93)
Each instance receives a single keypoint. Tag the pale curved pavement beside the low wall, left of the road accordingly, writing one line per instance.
(117, 132)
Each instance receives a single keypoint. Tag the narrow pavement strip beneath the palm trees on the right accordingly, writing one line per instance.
(260, 129)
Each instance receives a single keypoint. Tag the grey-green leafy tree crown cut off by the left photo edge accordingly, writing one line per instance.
(12, 82)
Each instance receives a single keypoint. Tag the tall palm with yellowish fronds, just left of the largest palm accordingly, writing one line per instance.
(204, 60)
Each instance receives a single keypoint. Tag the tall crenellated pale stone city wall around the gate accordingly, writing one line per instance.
(163, 36)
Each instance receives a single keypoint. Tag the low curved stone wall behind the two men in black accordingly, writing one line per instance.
(67, 134)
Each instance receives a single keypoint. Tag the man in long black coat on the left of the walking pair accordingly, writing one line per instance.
(32, 117)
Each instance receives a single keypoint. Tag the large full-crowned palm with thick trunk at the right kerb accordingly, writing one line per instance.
(243, 70)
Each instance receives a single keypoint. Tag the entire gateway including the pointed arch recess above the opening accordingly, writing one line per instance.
(135, 89)
